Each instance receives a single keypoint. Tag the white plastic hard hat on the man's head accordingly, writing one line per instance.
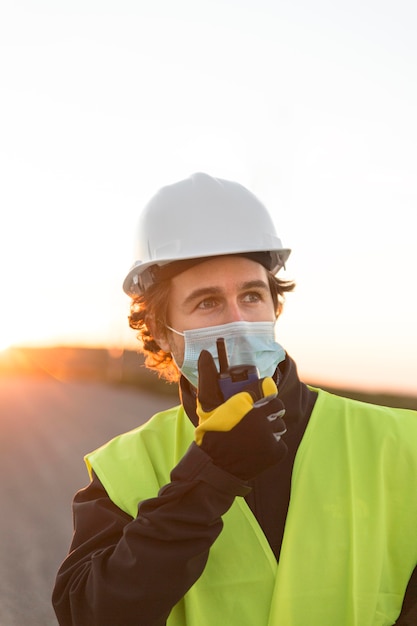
(201, 217)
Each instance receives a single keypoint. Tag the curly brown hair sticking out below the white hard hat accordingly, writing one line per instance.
(150, 308)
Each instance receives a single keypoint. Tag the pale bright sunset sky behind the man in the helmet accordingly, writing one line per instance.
(312, 106)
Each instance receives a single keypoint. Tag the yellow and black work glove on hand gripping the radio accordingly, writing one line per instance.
(242, 435)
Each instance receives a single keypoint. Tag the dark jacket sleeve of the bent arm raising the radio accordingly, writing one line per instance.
(124, 571)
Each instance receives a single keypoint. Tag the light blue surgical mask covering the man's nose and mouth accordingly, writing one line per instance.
(247, 343)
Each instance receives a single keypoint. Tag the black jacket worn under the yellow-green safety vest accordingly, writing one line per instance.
(130, 572)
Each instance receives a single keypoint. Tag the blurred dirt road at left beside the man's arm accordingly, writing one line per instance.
(46, 427)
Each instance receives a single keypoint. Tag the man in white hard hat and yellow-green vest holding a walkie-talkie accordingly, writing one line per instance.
(258, 500)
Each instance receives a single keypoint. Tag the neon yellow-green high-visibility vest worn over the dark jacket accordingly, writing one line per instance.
(350, 540)
